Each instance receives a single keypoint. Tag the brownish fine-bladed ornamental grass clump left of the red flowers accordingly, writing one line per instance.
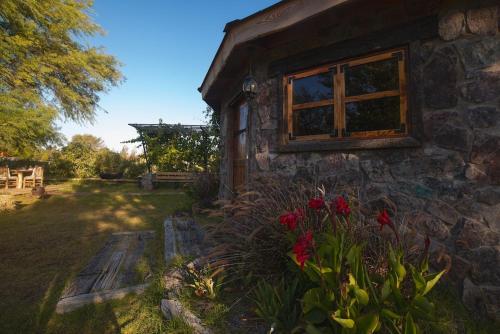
(250, 243)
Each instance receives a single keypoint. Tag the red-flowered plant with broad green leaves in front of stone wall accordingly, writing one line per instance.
(347, 291)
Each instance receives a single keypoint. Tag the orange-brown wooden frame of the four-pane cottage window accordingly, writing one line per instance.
(339, 100)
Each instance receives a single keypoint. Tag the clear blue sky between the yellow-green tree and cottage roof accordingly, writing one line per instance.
(166, 48)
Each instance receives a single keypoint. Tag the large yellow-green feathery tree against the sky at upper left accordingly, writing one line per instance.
(46, 70)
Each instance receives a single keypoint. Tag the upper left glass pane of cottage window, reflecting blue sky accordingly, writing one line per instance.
(313, 88)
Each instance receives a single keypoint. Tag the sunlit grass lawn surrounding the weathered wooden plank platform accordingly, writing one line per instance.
(46, 242)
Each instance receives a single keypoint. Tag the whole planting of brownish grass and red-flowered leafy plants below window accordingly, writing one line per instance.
(357, 279)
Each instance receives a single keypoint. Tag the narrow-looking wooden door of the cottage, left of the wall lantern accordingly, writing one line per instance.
(240, 135)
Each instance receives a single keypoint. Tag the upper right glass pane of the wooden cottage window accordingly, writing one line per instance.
(372, 77)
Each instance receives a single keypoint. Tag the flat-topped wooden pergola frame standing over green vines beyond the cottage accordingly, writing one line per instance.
(166, 131)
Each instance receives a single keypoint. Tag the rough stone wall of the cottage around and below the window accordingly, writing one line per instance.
(451, 183)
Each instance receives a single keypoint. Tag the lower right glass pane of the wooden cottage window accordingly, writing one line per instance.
(372, 115)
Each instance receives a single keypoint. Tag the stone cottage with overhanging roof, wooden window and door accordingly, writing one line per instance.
(400, 98)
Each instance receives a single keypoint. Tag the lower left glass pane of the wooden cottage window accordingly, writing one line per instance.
(313, 121)
